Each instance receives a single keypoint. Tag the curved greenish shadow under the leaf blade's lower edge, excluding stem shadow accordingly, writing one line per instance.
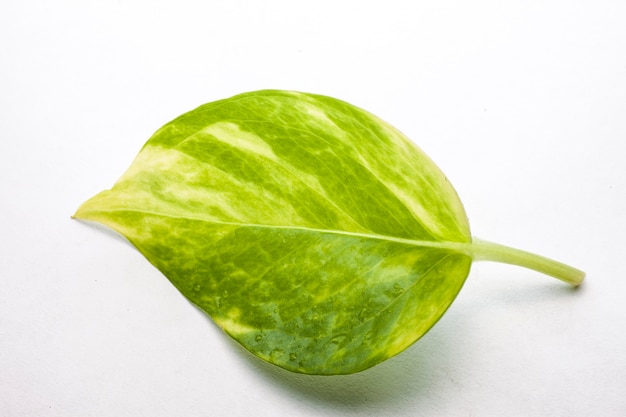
(407, 375)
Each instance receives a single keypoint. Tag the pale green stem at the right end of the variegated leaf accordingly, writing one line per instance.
(482, 250)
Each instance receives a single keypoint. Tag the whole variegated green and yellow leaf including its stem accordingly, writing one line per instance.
(314, 233)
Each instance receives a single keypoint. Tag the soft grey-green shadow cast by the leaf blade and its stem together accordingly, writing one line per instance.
(408, 380)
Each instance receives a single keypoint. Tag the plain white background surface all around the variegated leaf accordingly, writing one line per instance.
(521, 103)
